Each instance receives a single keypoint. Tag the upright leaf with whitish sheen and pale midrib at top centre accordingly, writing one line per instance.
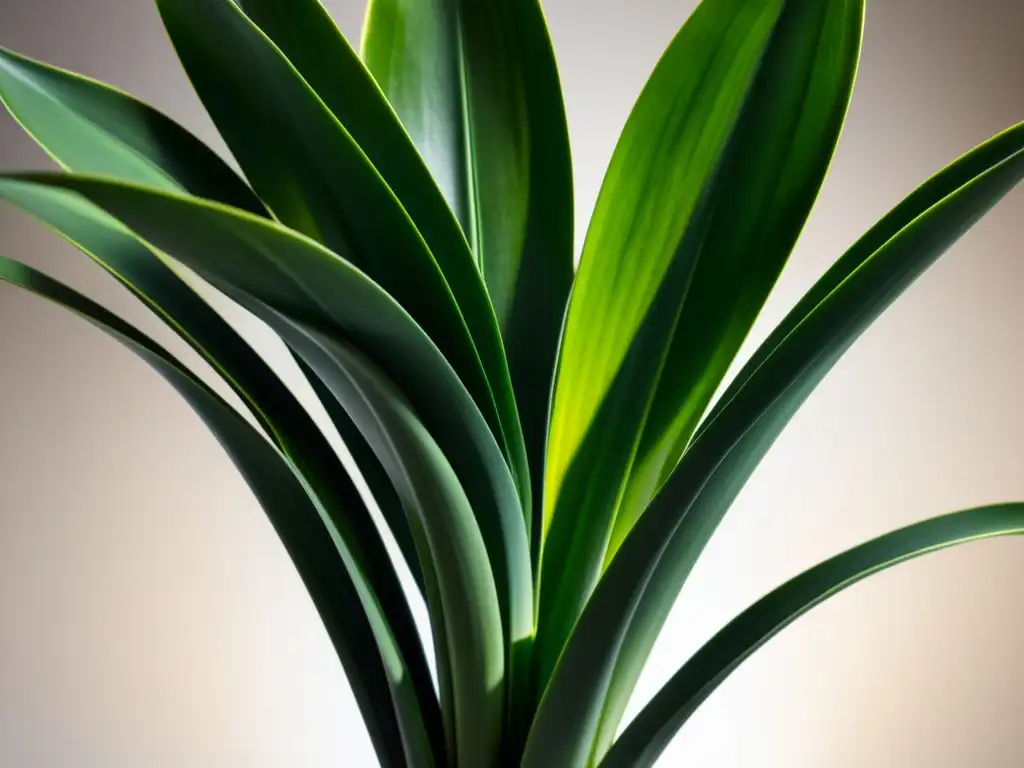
(477, 87)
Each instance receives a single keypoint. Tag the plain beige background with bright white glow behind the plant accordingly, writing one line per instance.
(149, 617)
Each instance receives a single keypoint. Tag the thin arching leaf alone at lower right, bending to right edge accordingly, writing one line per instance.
(651, 733)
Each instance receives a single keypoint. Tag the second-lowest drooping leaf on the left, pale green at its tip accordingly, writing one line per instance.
(274, 407)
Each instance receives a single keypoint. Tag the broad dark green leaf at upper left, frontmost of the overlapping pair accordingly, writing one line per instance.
(313, 175)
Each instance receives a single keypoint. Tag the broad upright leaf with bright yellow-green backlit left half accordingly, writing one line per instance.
(691, 231)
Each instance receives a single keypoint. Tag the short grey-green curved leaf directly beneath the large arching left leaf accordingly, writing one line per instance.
(463, 596)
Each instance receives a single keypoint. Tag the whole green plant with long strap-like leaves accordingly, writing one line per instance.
(406, 228)
